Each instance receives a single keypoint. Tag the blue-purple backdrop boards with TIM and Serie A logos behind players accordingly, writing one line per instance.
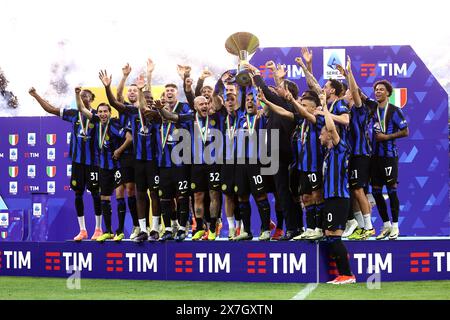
(34, 151)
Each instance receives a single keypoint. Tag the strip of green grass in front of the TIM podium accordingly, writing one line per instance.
(30, 288)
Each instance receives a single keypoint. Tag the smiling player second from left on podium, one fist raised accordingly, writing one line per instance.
(110, 135)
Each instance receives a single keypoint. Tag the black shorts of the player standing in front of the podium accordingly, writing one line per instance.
(335, 213)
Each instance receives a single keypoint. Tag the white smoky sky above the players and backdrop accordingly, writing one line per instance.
(55, 46)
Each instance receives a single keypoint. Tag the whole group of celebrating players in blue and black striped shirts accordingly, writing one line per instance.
(333, 141)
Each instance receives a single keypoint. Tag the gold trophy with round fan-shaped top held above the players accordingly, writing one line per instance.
(242, 44)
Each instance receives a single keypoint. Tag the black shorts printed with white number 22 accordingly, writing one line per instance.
(173, 182)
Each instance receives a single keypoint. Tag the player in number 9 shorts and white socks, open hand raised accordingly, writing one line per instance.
(145, 167)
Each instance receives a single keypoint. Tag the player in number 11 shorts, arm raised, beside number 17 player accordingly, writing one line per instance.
(359, 164)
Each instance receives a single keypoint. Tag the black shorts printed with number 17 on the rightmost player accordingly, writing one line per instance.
(383, 171)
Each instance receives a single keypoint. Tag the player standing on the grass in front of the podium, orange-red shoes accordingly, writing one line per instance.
(336, 194)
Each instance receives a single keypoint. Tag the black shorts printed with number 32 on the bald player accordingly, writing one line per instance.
(205, 177)
